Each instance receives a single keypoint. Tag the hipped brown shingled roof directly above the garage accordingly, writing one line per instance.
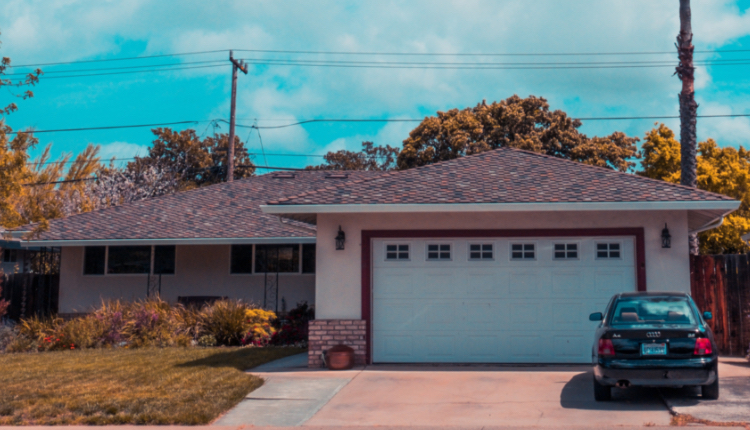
(501, 176)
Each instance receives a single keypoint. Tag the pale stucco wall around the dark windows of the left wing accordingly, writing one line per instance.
(200, 270)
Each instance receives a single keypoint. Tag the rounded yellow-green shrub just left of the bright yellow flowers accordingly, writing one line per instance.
(226, 320)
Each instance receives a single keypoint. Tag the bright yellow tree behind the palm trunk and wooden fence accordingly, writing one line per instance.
(720, 170)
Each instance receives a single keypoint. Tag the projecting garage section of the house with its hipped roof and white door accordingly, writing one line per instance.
(495, 257)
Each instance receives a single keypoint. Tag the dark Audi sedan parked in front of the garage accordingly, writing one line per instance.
(654, 340)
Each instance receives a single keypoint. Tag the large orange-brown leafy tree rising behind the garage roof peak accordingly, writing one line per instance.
(517, 123)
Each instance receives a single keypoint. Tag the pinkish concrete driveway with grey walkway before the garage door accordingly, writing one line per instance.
(437, 396)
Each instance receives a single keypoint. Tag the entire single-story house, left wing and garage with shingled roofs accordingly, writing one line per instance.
(497, 257)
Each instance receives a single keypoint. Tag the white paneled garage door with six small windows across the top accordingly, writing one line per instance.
(493, 300)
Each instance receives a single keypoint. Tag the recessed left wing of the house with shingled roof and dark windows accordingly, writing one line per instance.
(194, 245)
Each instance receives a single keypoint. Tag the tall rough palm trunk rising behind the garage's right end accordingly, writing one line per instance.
(688, 107)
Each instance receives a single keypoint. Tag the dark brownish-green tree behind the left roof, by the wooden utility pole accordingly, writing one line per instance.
(198, 161)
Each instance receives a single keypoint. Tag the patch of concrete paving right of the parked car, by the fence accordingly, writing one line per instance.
(734, 395)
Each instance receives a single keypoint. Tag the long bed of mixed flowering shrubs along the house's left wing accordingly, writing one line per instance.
(156, 323)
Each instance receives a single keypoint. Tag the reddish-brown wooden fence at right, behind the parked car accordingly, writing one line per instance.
(721, 284)
